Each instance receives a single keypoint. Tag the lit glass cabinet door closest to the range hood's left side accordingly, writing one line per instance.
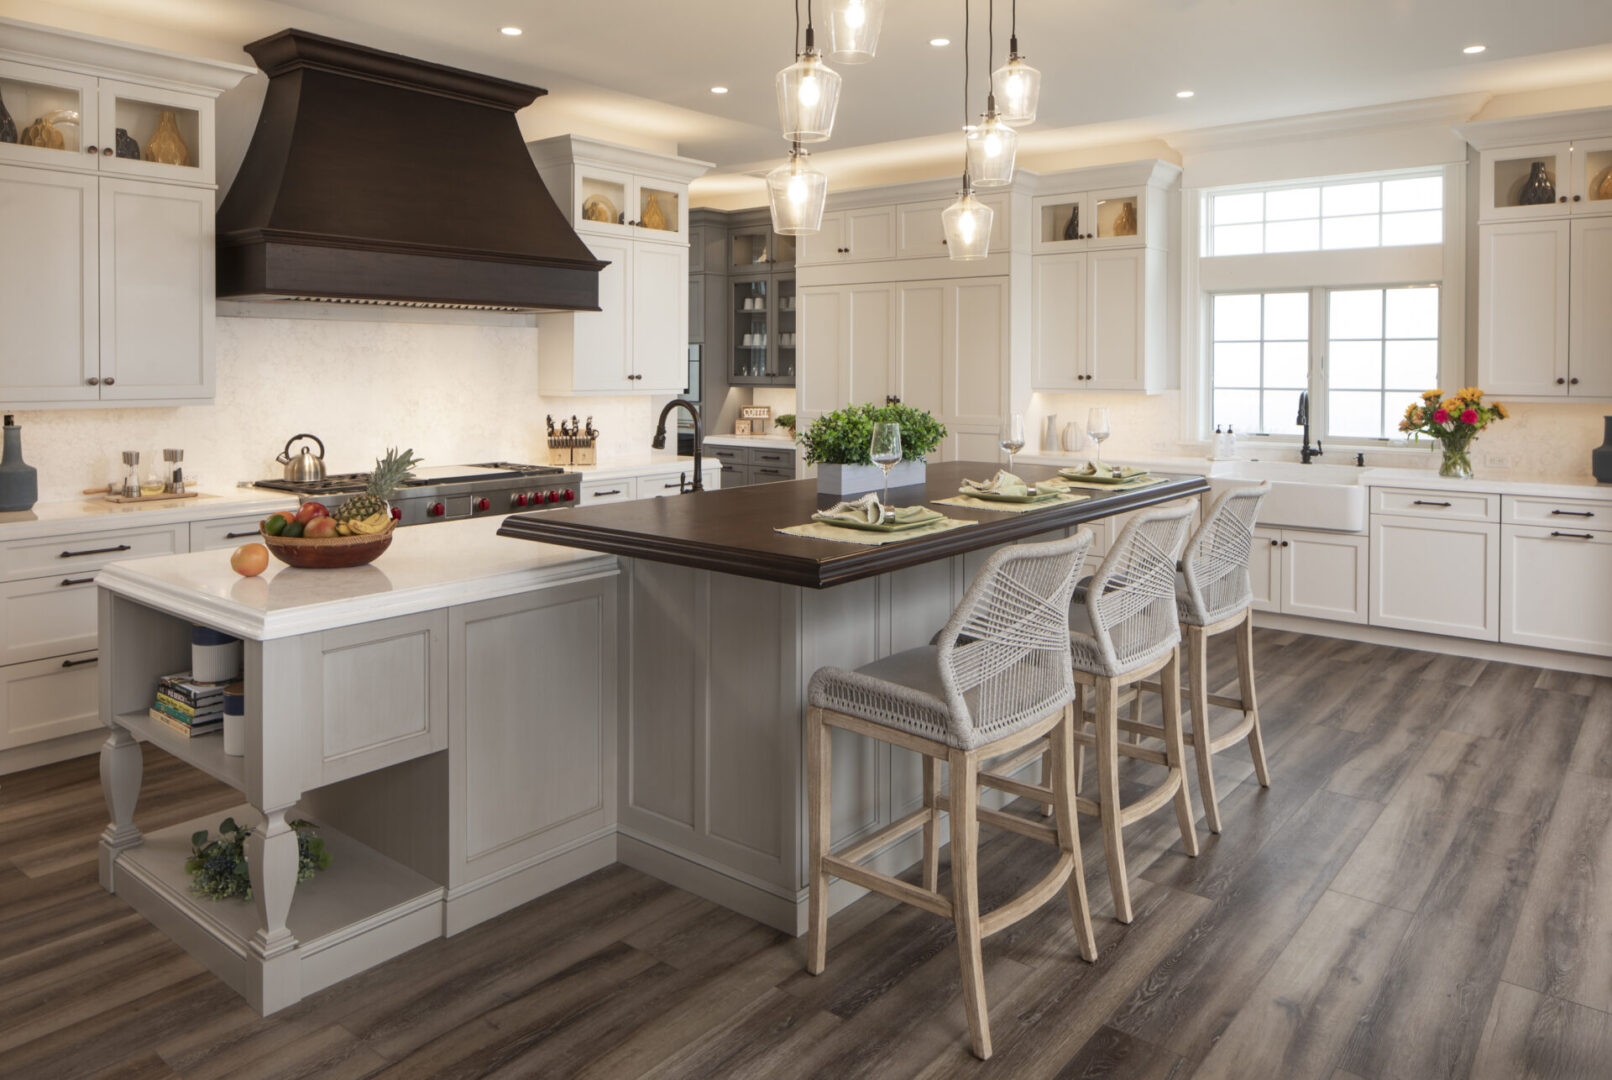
(151, 133)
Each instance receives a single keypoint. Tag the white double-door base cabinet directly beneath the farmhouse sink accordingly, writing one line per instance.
(1315, 575)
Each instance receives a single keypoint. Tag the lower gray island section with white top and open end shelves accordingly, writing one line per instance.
(447, 717)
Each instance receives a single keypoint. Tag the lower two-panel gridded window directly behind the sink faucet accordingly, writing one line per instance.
(1381, 354)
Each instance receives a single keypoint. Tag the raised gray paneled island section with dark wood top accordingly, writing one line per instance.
(725, 620)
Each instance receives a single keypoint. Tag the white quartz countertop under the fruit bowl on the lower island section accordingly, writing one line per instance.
(426, 568)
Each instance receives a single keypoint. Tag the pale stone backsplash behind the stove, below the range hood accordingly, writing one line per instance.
(454, 393)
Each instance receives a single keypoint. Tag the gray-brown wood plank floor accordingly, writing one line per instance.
(1421, 895)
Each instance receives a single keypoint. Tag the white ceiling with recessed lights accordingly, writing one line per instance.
(641, 70)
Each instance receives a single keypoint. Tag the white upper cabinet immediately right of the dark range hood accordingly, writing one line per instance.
(631, 207)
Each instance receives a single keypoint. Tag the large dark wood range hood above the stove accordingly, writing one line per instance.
(376, 178)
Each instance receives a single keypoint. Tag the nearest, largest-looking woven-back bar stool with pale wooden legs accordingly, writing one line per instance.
(999, 678)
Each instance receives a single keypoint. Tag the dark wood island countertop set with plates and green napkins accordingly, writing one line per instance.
(734, 531)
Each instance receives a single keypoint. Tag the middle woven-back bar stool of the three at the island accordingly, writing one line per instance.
(1124, 629)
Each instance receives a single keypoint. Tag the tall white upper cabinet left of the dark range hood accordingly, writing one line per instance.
(107, 212)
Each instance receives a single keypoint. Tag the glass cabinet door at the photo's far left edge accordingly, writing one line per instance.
(48, 118)
